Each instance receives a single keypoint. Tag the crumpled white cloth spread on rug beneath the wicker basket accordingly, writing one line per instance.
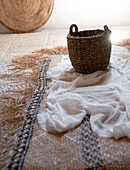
(105, 95)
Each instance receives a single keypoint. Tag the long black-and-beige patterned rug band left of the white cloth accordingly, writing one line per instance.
(26, 134)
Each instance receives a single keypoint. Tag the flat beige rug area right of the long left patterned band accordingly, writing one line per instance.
(79, 148)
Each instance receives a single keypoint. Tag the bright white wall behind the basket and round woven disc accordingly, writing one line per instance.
(87, 13)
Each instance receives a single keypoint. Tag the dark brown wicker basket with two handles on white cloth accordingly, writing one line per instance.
(89, 51)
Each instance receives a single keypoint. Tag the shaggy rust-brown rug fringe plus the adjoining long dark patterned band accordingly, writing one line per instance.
(23, 79)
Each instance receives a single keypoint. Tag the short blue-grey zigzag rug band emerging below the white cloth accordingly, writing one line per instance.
(90, 149)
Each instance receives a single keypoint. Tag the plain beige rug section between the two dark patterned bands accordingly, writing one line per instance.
(54, 151)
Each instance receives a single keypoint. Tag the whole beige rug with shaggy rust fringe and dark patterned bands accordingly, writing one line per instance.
(26, 146)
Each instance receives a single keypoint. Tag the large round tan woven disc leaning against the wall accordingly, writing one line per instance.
(25, 15)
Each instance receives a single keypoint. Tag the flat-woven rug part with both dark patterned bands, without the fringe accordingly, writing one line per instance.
(79, 148)
